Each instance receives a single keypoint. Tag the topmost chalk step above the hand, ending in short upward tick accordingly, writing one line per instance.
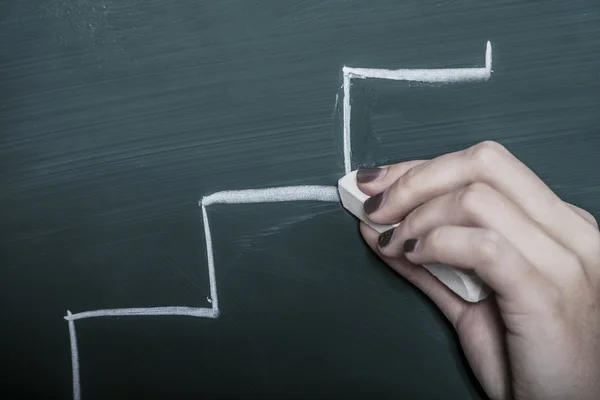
(447, 75)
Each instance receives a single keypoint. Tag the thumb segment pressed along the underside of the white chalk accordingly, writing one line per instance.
(447, 301)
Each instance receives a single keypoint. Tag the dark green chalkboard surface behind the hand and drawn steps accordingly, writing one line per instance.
(116, 117)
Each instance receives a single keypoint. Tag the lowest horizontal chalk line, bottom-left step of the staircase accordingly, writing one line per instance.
(129, 312)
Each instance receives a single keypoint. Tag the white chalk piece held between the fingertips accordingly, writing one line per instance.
(465, 284)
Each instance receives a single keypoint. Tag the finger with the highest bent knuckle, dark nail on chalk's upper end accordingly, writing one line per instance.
(492, 164)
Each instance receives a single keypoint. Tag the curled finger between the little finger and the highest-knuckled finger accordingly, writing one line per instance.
(481, 206)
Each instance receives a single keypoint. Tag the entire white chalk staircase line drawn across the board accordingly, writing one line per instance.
(272, 195)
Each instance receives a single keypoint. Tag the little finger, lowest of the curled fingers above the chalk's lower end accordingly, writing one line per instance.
(493, 258)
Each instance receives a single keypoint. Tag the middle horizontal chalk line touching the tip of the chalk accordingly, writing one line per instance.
(273, 195)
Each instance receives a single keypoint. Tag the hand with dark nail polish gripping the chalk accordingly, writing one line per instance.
(481, 209)
